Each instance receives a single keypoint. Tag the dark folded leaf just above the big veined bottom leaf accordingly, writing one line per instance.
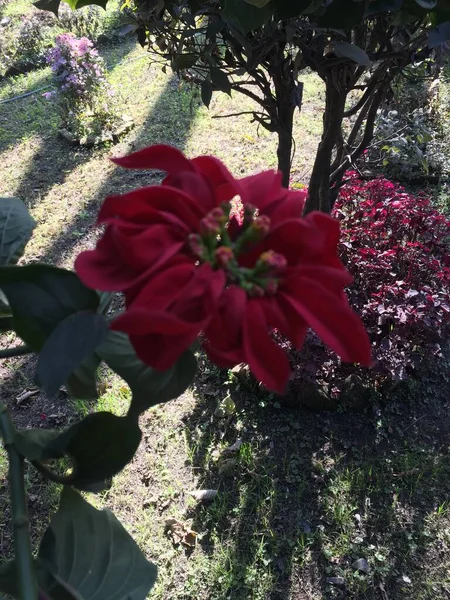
(100, 445)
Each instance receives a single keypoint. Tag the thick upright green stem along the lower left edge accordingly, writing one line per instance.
(22, 543)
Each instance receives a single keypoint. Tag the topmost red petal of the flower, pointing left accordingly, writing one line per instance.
(160, 157)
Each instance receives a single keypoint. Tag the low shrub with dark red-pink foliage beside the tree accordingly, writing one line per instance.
(396, 245)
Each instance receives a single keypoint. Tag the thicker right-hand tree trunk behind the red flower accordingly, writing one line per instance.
(319, 184)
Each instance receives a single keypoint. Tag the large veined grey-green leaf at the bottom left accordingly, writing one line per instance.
(92, 555)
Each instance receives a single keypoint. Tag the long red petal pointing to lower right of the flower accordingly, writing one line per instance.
(334, 322)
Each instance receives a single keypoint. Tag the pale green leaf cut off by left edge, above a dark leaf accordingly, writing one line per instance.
(16, 227)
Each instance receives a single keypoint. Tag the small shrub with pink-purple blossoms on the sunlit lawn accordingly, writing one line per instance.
(83, 94)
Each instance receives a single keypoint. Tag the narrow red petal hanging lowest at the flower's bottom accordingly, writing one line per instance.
(265, 358)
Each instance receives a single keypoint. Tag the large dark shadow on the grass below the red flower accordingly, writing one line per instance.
(309, 494)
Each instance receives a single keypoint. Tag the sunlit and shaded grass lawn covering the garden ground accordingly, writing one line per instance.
(306, 495)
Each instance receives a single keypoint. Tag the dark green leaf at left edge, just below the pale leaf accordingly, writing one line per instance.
(42, 296)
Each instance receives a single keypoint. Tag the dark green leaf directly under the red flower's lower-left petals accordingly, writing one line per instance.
(148, 386)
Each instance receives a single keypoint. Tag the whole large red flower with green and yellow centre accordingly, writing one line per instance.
(234, 259)
